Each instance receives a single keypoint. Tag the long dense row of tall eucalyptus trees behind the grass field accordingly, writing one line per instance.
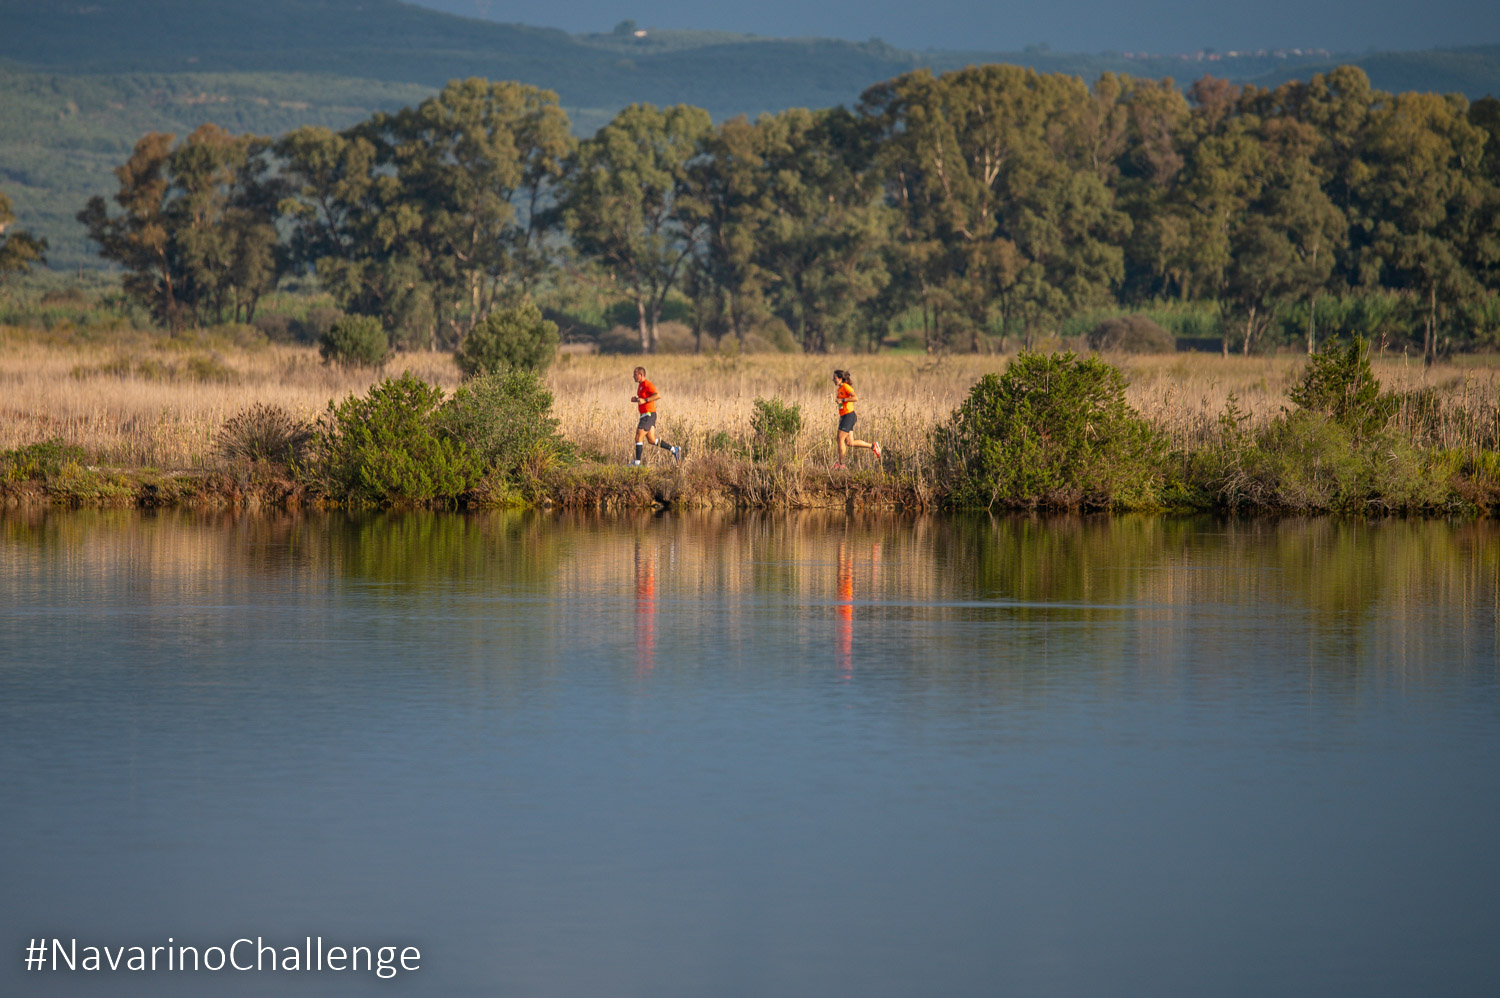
(992, 202)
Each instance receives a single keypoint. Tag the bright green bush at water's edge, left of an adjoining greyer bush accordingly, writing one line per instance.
(388, 448)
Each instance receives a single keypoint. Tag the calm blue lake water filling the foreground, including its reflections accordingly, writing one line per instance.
(716, 756)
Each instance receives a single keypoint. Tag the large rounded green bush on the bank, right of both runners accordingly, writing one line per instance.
(1052, 431)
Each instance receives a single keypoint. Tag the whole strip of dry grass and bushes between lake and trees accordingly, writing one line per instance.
(1343, 431)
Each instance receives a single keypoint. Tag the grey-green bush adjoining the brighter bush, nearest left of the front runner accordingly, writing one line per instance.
(506, 419)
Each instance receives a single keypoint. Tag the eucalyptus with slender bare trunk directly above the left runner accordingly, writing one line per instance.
(626, 202)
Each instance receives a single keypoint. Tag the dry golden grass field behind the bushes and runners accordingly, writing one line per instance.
(130, 418)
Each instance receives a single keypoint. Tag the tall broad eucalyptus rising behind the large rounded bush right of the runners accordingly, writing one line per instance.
(1004, 199)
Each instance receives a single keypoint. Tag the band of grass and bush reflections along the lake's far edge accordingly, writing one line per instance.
(1337, 598)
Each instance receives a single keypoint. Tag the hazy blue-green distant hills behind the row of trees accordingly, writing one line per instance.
(82, 80)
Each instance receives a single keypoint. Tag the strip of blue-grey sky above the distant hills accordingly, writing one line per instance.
(1078, 26)
